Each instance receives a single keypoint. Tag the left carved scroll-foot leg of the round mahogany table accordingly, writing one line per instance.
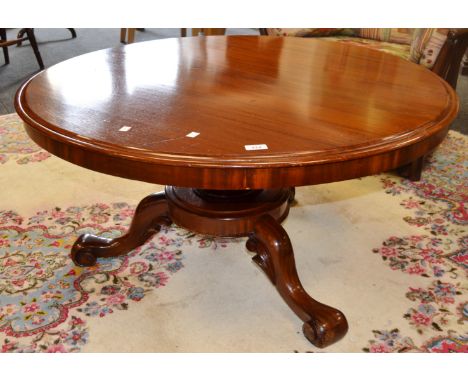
(151, 213)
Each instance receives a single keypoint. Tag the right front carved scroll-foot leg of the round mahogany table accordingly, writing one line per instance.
(323, 325)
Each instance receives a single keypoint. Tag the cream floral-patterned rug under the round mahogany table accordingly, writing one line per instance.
(390, 253)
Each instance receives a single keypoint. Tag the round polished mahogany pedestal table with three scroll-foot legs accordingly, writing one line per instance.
(232, 125)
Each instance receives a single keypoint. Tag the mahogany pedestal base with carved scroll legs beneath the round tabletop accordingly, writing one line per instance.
(253, 213)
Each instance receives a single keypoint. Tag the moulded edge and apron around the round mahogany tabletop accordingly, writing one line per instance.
(52, 138)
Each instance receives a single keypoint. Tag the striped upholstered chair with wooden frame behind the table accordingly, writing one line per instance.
(440, 50)
